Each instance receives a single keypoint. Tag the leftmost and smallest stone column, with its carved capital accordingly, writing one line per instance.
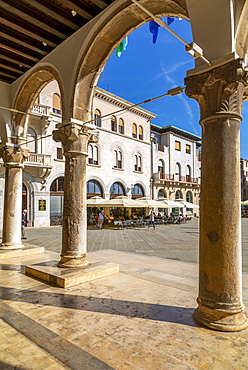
(13, 156)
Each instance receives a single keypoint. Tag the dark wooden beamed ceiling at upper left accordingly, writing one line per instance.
(30, 29)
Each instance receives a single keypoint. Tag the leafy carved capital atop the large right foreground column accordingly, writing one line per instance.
(219, 91)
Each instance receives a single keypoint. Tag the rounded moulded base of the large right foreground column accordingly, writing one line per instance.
(220, 319)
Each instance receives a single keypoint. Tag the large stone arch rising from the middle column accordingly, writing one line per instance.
(120, 20)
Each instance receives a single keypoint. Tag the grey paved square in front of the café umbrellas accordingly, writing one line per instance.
(177, 242)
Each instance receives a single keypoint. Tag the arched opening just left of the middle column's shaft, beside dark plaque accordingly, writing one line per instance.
(56, 201)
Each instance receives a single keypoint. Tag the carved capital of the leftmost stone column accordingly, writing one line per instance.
(13, 155)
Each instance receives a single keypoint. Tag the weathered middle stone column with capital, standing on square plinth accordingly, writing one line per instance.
(75, 139)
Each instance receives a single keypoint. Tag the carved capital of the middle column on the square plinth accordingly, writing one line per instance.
(75, 138)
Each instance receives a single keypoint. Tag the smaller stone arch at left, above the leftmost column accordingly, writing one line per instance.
(34, 82)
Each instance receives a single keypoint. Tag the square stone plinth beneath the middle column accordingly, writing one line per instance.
(66, 277)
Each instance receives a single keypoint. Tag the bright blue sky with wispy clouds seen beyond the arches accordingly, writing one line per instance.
(146, 70)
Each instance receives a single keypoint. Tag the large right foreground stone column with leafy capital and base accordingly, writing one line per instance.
(220, 95)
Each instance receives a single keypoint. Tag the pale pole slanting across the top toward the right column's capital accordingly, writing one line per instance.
(193, 49)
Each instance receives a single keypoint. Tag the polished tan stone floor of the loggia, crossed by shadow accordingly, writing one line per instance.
(140, 318)
